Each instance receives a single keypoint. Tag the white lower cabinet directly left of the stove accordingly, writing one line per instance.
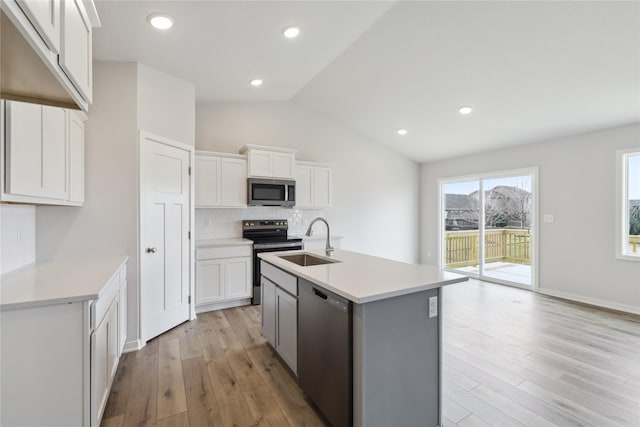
(223, 277)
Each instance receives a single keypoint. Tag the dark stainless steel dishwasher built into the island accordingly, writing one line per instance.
(325, 352)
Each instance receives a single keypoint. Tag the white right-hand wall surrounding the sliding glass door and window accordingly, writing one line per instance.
(577, 185)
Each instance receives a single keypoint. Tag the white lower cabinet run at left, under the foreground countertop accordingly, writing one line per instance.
(59, 359)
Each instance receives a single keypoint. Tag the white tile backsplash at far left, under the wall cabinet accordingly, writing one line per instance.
(17, 236)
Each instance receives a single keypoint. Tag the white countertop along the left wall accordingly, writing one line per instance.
(58, 282)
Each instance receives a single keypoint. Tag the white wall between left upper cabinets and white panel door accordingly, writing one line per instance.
(107, 224)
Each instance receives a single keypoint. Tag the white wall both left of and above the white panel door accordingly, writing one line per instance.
(126, 97)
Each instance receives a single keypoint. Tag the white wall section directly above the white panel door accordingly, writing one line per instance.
(166, 105)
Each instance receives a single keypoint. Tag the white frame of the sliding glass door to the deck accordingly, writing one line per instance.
(533, 171)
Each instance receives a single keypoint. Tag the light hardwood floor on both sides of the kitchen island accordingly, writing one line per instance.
(511, 358)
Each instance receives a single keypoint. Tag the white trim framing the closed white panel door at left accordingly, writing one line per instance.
(142, 136)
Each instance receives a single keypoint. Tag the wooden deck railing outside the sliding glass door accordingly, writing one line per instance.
(508, 245)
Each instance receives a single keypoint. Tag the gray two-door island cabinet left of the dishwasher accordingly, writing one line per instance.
(280, 313)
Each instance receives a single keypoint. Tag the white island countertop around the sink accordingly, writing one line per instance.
(363, 278)
